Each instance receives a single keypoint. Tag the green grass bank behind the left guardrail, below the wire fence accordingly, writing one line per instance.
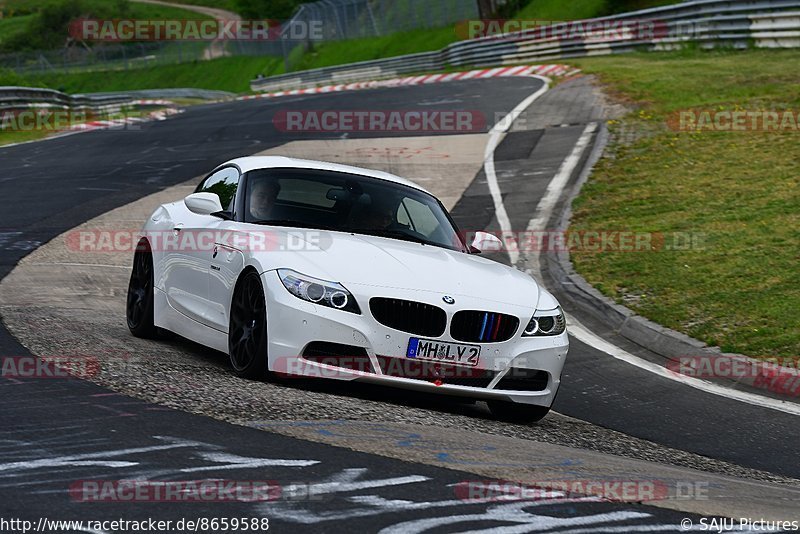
(226, 74)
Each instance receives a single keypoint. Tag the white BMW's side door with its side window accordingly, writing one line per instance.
(188, 284)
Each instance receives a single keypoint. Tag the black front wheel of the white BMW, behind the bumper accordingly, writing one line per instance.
(247, 333)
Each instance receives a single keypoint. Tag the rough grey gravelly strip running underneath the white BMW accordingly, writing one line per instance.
(183, 375)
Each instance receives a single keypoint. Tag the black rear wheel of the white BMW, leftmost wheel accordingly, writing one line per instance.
(139, 304)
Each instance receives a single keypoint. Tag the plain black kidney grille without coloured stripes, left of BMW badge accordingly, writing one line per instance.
(409, 316)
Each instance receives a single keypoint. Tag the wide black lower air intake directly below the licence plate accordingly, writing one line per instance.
(456, 375)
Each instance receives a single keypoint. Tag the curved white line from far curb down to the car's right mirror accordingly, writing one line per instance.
(495, 136)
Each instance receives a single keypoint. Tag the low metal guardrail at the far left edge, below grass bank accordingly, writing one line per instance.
(12, 97)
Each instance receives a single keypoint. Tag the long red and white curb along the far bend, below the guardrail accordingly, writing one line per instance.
(497, 72)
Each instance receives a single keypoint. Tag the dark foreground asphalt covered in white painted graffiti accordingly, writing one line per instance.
(88, 430)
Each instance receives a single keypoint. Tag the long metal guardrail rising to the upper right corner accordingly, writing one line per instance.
(707, 23)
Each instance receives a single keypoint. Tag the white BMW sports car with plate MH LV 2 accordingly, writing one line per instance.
(296, 267)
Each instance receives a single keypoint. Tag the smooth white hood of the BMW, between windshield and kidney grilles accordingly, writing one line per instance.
(360, 260)
